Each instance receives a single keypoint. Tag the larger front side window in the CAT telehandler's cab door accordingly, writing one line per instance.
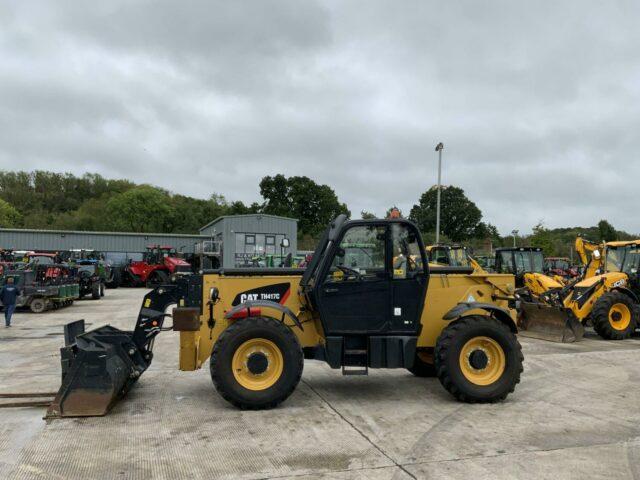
(360, 255)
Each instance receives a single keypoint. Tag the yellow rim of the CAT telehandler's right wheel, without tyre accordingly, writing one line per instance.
(482, 361)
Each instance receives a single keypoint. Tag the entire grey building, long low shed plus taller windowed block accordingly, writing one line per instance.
(238, 239)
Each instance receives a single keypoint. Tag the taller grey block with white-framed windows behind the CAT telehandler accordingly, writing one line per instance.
(236, 230)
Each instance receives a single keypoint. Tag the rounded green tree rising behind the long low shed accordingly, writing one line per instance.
(142, 209)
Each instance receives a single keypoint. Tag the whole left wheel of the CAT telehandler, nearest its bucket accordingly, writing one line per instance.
(256, 363)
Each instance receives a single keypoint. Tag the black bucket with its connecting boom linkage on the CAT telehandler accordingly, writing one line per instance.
(101, 366)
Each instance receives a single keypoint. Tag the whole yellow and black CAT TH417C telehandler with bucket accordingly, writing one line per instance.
(368, 299)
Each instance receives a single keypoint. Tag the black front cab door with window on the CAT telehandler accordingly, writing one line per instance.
(354, 291)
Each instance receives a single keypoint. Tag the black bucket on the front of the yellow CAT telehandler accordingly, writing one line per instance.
(98, 367)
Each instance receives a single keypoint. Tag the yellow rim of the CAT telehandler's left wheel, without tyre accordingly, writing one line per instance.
(266, 355)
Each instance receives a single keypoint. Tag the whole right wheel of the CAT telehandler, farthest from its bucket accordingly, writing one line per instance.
(478, 359)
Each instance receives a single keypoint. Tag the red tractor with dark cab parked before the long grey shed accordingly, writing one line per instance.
(158, 263)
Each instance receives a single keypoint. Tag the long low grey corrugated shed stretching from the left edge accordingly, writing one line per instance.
(26, 239)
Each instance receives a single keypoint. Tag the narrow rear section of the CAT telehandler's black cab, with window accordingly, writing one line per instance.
(409, 279)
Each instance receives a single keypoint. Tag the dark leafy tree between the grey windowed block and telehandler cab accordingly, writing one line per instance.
(312, 204)
